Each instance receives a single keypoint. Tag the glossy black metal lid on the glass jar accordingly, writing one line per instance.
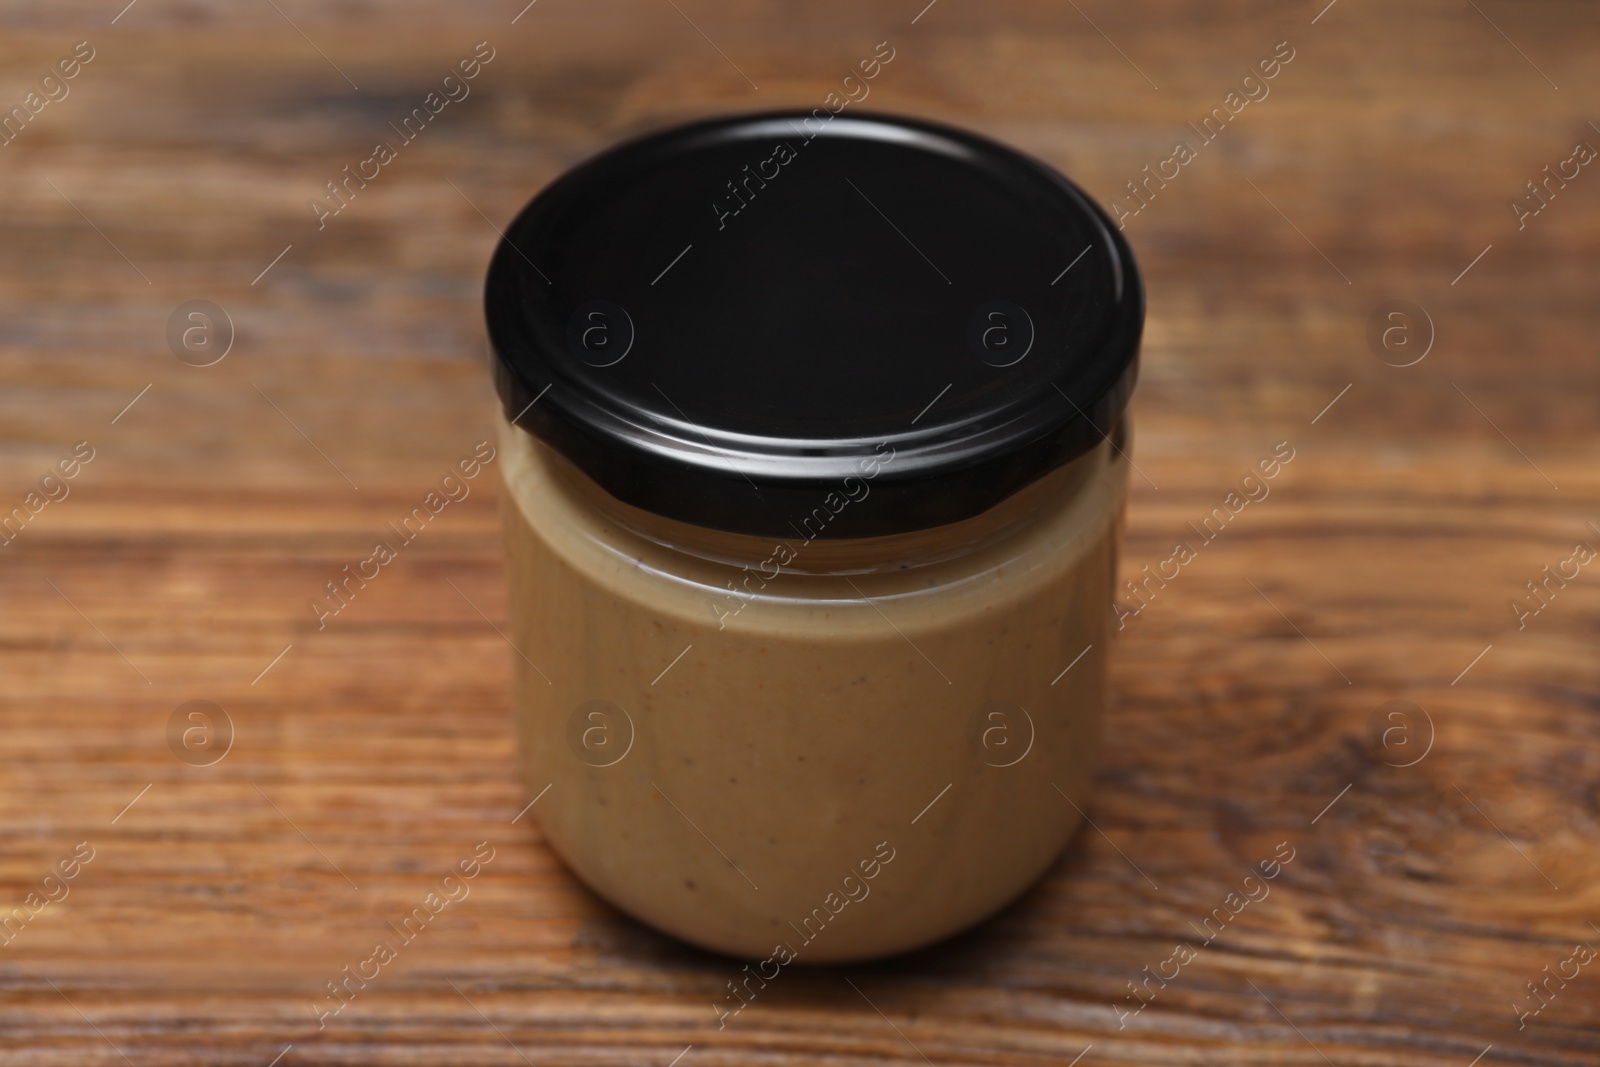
(738, 322)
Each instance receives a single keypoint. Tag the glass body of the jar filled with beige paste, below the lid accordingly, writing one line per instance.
(857, 762)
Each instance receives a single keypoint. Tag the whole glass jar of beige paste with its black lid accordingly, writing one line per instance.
(815, 471)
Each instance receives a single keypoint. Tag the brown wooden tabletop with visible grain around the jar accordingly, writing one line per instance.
(1438, 868)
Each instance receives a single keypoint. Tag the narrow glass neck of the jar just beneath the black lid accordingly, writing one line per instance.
(838, 556)
